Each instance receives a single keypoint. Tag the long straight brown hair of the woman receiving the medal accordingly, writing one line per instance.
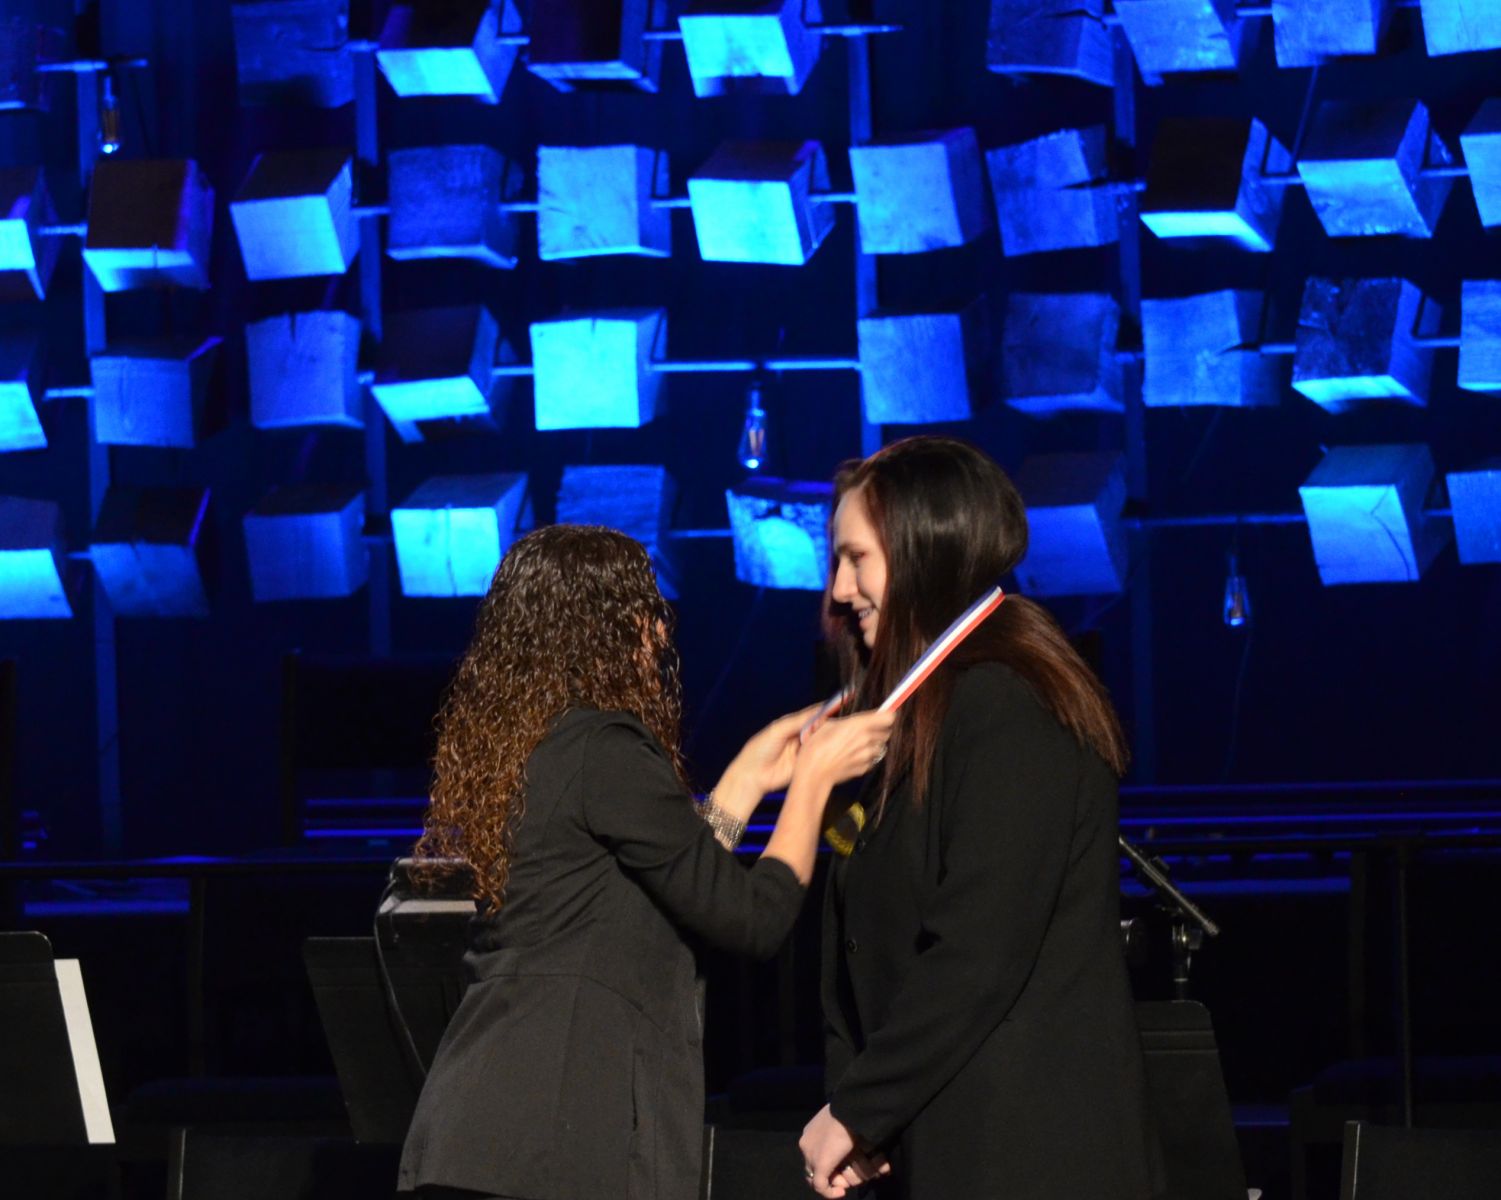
(952, 525)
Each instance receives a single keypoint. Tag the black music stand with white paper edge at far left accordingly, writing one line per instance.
(52, 1088)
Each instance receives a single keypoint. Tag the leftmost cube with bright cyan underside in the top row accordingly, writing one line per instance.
(465, 49)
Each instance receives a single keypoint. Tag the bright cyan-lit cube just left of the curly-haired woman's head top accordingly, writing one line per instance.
(453, 532)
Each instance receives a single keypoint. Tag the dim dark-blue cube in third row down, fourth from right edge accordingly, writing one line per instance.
(1059, 354)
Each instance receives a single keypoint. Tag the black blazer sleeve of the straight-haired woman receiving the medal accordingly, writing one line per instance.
(1009, 782)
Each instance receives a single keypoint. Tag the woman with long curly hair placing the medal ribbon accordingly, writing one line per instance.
(573, 1069)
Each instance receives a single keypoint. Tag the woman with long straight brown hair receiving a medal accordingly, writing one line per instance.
(981, 1037)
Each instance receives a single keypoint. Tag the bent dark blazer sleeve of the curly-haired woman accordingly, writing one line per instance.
(637, 807)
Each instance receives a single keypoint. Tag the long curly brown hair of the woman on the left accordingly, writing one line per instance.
(573, 620)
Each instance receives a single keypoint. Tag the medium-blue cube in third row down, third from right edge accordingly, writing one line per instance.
(1203, 351)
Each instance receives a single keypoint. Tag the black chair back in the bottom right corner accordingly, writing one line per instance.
(1385, 1163)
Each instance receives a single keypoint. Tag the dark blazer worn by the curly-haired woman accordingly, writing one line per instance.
(574, 1066)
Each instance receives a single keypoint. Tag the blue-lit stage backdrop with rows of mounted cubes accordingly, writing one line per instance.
(308, 309)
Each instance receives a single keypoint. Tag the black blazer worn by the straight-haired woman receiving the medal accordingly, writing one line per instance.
(975, 992)
